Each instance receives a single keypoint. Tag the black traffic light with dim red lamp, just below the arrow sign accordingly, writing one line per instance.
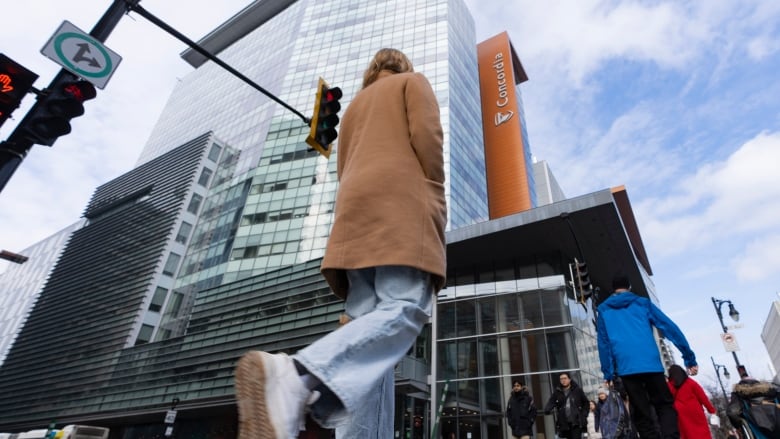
(60, 103)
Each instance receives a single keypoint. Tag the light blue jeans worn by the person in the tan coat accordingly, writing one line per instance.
(388, 306)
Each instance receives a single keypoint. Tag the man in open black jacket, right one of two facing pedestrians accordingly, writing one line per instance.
(571, 408)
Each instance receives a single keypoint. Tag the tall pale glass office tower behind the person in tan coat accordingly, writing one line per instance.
(278, 208)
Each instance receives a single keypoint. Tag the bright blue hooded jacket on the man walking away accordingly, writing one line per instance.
(625, 336)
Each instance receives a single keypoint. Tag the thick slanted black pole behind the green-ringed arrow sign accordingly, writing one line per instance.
(16, 148)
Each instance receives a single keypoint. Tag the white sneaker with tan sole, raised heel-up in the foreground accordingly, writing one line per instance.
(271, 397)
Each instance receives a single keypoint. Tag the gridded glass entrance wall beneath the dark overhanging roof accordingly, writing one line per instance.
(499, 323)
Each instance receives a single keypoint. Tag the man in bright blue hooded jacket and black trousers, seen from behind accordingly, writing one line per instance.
(627, 349)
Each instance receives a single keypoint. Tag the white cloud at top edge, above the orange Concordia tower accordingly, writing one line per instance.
(577, 37)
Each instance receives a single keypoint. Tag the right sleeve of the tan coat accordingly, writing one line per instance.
(425, 131)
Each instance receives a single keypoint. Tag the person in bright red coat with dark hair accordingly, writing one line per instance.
(689, 398)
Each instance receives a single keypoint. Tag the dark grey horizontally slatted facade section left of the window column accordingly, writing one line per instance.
(93, 299)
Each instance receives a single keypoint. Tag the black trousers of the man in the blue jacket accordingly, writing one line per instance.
(648, 391)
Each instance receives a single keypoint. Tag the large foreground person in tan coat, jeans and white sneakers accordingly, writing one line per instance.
(385, 257)
